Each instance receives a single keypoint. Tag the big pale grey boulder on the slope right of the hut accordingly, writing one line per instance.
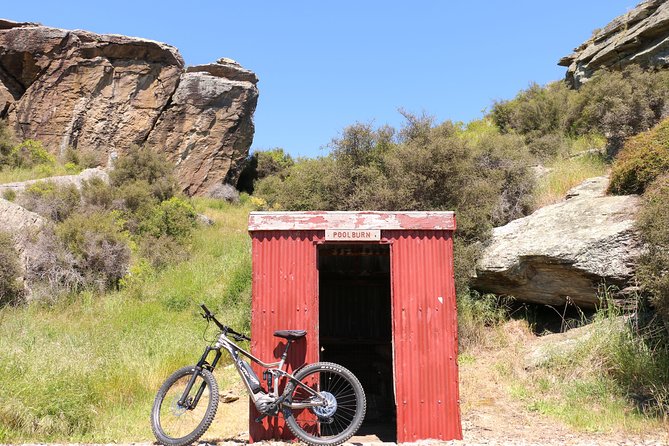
(564, 251)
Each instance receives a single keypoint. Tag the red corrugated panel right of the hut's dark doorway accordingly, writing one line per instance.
(425, 336)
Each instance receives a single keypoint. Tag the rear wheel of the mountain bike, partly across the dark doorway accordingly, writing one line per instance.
(335, 422)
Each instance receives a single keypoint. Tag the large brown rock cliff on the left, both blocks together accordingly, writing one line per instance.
(104, 93)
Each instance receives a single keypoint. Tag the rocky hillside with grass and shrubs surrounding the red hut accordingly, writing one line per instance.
(561, 251)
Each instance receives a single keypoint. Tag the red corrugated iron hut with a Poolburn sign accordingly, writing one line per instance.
(376, 293)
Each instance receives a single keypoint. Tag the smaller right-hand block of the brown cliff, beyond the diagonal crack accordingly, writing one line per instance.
(207, 128)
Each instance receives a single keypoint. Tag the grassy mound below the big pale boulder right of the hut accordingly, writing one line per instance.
(583, 388)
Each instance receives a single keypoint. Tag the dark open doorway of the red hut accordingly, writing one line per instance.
(355, 325)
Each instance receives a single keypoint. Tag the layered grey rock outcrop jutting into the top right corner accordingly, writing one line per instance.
(641, 36)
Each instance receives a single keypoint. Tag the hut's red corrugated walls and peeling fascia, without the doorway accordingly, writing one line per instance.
(285, 296)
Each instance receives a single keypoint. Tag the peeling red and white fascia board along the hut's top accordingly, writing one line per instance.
(321, 220)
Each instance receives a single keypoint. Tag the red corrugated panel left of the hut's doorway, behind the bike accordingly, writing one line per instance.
(284, 297)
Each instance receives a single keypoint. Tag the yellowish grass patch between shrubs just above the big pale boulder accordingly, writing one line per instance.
(565, 174)
